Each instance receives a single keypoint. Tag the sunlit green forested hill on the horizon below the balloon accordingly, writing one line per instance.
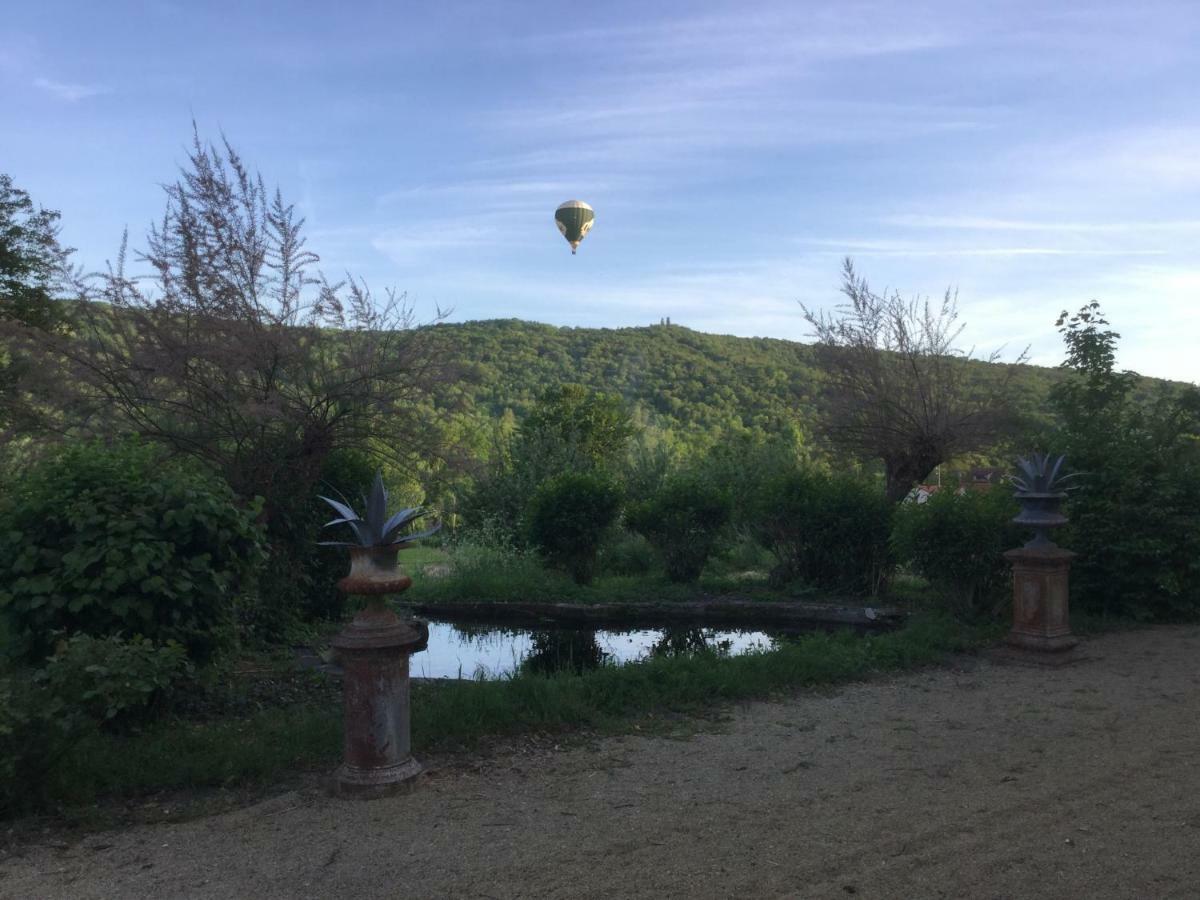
(694, 385)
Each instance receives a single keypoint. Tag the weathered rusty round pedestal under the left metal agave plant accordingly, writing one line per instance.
(374, 652)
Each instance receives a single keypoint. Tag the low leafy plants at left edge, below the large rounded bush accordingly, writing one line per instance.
(89, 685)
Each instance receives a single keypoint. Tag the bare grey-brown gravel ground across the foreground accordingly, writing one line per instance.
(985, 781)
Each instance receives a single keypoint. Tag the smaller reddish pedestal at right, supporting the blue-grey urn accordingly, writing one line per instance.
(1041, 615)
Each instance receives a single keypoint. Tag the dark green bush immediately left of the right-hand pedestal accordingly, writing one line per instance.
(957, 542)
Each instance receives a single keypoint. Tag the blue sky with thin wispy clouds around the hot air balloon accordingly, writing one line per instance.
(1036, 155)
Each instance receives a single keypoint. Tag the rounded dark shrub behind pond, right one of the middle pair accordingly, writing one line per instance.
(683, 520)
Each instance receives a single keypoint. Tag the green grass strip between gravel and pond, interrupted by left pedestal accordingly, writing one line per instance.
(271, 746)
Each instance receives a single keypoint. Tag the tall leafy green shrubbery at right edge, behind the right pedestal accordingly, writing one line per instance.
(1136, 515)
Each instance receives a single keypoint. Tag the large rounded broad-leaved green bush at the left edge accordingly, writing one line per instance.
(117, 541)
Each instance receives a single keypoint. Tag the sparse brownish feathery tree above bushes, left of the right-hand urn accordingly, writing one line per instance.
(899, 391)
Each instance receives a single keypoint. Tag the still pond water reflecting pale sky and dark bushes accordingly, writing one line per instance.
(488, 652)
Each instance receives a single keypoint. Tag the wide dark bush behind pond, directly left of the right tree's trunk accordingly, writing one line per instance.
(829, 531)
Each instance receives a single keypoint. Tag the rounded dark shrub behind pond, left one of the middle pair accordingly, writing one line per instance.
(569, 517)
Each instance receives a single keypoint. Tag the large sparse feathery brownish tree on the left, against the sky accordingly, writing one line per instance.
(237, 351)
